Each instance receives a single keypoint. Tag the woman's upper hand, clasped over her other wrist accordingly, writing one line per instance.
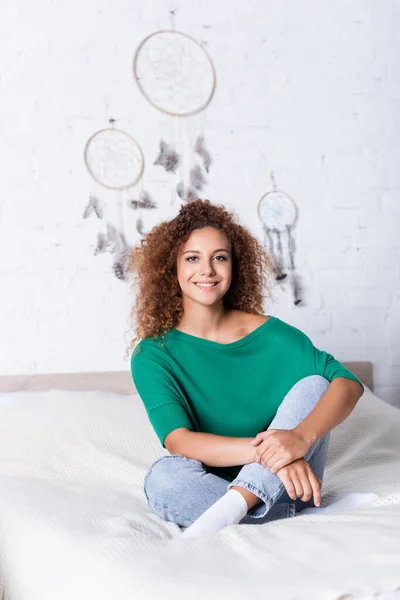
(279, 447)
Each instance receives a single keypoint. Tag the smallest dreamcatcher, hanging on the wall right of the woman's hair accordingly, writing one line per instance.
(278, 214)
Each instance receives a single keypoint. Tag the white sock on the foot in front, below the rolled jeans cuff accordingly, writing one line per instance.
(228, 510)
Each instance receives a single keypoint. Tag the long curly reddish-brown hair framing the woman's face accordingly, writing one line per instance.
(158, 303)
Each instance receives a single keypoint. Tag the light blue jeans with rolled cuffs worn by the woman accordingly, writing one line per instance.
(180, 489)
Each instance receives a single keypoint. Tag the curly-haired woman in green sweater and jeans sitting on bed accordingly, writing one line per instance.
(243, 401)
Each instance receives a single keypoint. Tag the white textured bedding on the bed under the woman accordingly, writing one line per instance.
(74, 521)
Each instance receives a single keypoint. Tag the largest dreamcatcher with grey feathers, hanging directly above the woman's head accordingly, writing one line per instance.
(175, 75)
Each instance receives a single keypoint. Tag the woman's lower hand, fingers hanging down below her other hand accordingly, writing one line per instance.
(300, 481)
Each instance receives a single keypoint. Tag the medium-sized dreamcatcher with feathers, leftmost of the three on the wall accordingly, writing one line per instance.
(115, 162)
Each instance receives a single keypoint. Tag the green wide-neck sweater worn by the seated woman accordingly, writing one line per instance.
(227, 389)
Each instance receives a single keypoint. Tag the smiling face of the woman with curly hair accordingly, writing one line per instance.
(204, 266)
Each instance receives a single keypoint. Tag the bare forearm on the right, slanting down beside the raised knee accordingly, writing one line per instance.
(334, 407)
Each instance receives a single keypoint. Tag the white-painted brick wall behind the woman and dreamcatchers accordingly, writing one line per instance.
(309, 90)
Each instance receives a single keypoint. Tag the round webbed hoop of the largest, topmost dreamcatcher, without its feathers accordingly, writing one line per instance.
(174, 73)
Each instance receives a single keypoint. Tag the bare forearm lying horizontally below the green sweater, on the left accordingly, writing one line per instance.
(216, 450)
